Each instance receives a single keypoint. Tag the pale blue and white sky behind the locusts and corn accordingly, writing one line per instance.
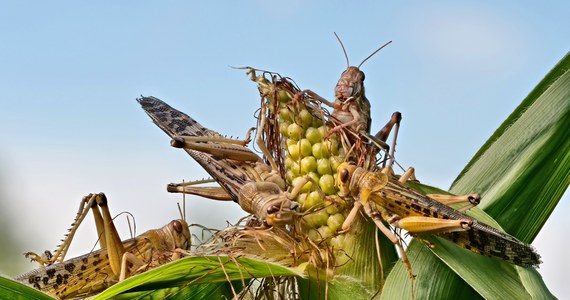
(70, 72)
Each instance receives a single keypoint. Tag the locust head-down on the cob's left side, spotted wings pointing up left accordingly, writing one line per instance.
(243, 176)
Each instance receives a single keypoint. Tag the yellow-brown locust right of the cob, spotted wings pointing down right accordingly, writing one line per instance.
(384, 198)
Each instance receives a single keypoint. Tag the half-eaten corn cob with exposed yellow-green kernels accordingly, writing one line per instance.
(297, 131)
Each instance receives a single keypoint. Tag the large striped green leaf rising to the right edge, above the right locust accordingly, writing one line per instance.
(522, 170)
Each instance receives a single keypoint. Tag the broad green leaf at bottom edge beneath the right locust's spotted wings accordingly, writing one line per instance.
(438, 276)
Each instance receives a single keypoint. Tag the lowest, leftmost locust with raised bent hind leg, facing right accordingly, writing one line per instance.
(116, 260)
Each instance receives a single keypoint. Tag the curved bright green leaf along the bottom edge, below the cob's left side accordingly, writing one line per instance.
(198, 272)
